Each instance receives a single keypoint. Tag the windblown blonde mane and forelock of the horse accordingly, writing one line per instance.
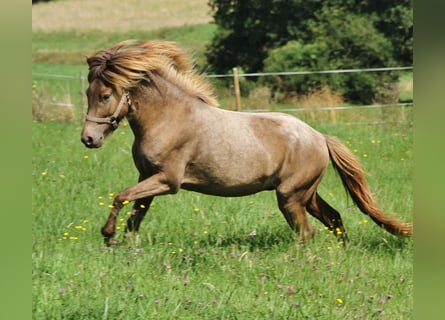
(127, 63)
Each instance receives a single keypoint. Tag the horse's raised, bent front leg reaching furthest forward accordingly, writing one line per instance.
(155, 185)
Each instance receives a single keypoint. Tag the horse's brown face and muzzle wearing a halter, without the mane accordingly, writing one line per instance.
(106, 108)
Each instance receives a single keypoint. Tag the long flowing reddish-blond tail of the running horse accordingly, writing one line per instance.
(353, 177)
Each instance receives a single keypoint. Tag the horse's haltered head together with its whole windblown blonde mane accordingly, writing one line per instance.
(124, 67)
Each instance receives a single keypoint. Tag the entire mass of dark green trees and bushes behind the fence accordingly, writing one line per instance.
(340, 34)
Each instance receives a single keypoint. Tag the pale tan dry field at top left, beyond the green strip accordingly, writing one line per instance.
(118, 16)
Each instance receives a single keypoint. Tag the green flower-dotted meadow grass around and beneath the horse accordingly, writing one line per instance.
(195, 256)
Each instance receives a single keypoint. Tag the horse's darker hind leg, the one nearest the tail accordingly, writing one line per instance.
(330, 217)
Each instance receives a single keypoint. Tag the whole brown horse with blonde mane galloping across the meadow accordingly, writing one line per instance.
(183, 140)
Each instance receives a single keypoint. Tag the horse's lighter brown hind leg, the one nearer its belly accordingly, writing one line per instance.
(295, 213)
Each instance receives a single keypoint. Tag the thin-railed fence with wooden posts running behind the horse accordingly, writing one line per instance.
(235, 75)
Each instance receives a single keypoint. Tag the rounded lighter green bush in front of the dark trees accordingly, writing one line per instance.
(354, 42)
